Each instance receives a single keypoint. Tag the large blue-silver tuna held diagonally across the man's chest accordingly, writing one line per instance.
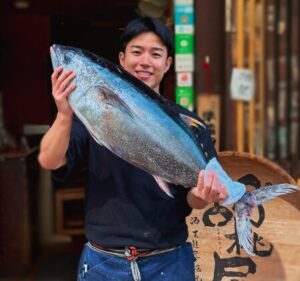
(138, 125)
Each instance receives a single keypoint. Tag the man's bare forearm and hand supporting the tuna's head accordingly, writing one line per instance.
(55, 142)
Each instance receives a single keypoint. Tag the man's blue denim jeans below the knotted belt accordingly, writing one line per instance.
(176, 265)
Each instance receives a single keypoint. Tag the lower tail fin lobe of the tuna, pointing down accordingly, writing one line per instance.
(243, 226)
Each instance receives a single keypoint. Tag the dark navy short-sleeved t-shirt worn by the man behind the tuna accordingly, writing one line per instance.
(124, 205)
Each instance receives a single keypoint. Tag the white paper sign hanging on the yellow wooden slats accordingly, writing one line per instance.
(242, 84)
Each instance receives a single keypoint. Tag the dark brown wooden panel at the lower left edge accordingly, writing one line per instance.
(18, 174)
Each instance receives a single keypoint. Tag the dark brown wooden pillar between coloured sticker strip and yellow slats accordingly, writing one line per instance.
(211, 44)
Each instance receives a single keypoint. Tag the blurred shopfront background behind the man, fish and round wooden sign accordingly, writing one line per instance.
(236, 65)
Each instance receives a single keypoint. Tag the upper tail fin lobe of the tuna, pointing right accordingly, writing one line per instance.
(271, 191)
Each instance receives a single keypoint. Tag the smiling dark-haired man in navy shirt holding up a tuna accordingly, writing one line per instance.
(134, 230)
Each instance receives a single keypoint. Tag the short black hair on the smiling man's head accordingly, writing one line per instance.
(147, 24)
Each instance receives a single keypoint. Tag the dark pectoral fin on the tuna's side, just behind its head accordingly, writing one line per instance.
(107, 96)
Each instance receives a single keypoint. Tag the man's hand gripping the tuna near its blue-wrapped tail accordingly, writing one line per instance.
(209, 189)
